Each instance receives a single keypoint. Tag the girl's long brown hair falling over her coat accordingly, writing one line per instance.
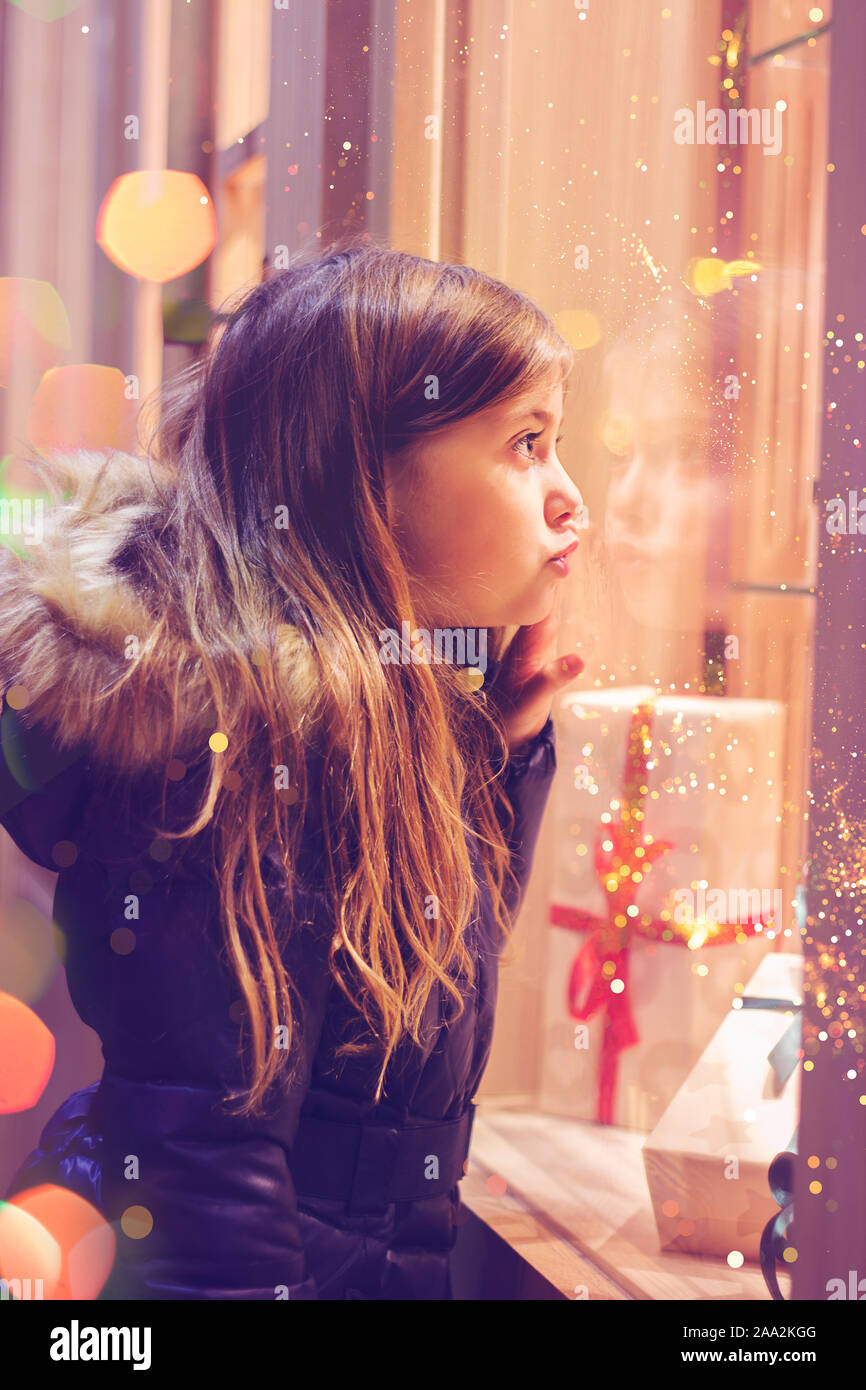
(286, 572)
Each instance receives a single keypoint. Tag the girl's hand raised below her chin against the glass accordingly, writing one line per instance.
(530, 678)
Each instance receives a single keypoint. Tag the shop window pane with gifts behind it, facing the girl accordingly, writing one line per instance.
(667, 205)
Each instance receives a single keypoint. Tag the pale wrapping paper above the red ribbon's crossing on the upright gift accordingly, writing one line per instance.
(714, 789)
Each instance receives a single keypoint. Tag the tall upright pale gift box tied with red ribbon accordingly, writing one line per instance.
(712, 793)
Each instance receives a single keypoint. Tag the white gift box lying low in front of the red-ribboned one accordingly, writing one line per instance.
(707, 1160)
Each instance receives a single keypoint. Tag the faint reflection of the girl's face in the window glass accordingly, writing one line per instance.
(657, 439)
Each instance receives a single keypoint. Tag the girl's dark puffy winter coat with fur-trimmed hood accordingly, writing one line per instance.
(327, 1197)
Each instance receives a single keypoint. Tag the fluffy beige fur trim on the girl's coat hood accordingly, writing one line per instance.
(67, 615)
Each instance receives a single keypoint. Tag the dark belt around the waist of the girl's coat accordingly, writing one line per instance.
(372, 1166)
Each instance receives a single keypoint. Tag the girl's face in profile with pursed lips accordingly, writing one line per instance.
(489, 507)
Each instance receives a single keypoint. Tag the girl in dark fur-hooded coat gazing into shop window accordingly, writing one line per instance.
(287, 860)
